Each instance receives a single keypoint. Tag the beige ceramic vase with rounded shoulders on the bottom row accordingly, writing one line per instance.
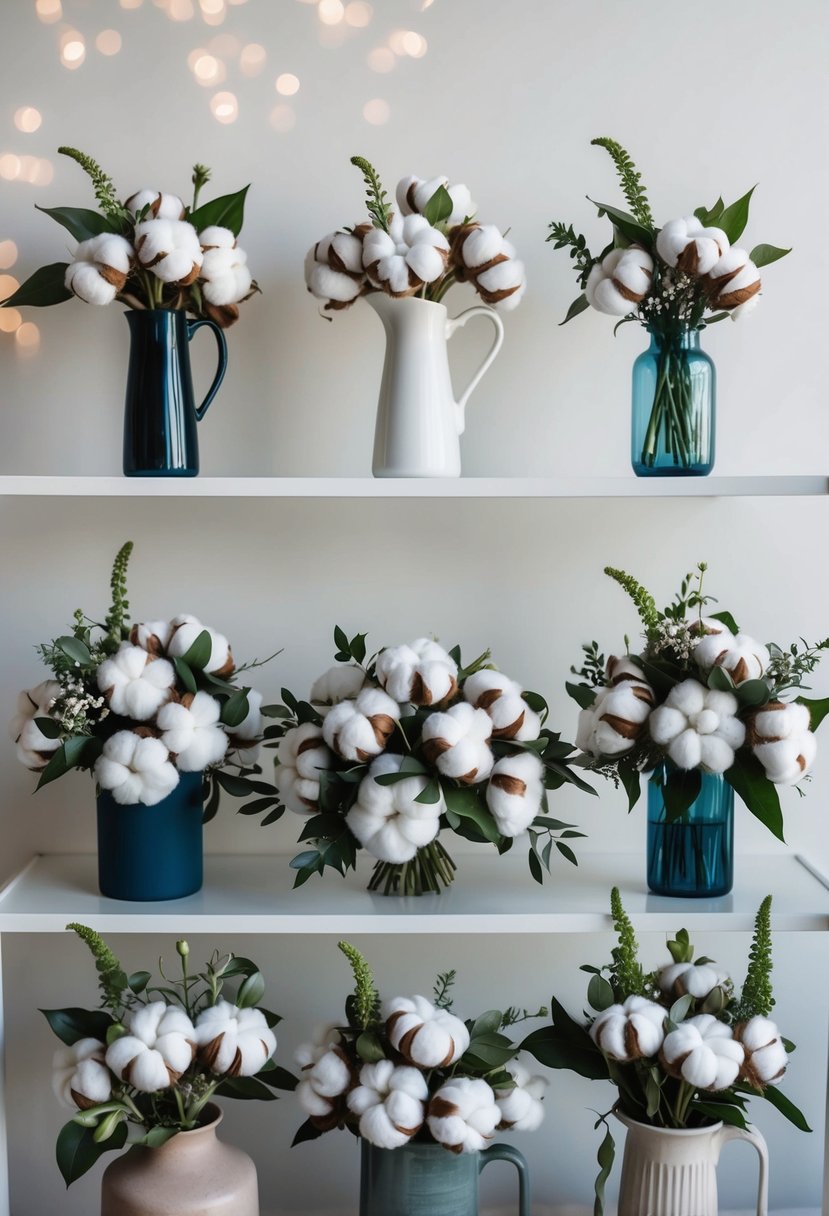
(191, 1175)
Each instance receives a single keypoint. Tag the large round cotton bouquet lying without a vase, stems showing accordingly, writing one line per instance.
(393, 748)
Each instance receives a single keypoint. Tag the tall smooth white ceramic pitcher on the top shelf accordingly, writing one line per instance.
(419, 421)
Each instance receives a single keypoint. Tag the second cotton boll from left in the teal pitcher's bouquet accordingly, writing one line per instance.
(391, 1104)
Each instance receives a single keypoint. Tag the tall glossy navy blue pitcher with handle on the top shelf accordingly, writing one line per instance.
(161, 414)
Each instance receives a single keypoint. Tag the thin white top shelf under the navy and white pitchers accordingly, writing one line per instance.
(414, 488)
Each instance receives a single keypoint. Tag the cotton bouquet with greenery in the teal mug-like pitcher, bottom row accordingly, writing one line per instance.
(410, 1071)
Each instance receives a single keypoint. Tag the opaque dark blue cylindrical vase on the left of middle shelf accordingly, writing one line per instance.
(153, 853)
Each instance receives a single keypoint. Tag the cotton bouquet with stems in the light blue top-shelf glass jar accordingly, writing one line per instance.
(673, 280)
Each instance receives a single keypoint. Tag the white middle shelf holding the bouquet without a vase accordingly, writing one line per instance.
(493, 896)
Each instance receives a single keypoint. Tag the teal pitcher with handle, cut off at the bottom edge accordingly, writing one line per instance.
(427, 1180)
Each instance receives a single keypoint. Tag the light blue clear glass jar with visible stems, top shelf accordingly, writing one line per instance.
(674, 408)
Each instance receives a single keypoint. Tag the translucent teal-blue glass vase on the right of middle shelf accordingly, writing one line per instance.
(692, 857)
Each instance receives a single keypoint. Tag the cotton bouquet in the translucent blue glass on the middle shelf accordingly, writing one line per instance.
(701, 697)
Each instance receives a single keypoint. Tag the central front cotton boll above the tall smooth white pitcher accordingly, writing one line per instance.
(410, 255)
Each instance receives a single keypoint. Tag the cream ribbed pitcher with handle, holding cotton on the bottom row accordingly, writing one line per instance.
(668, 1173)
